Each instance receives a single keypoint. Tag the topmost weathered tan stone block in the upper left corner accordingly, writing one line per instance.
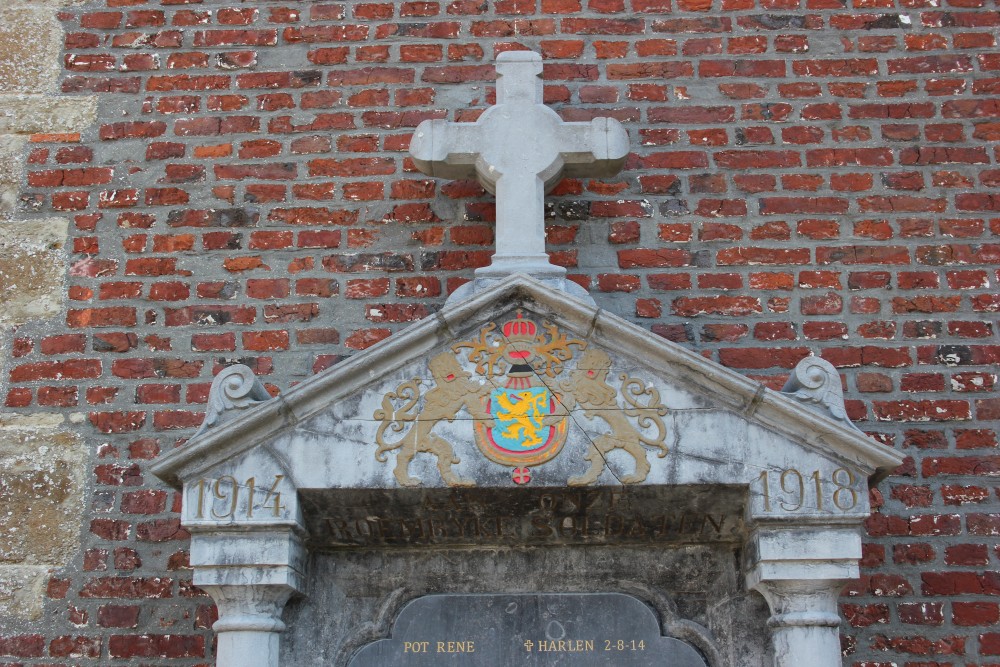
(30, 43)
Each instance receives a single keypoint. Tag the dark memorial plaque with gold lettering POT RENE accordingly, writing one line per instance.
(531, 629)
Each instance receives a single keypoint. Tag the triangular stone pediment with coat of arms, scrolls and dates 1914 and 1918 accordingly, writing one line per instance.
(526, 386)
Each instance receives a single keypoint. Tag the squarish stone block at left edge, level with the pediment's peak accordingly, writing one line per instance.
(32, 268)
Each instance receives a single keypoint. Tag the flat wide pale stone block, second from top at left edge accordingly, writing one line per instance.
(31, 114)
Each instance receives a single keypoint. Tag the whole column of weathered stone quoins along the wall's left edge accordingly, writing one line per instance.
(42, 463)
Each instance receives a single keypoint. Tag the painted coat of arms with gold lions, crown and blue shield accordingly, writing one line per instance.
(528, 384)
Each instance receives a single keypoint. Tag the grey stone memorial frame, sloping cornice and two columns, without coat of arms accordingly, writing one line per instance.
(798, 560)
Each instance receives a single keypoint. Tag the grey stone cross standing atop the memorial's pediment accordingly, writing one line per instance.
(518, 150)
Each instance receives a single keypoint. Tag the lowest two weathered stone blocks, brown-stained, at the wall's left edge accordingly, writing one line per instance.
(41, 493)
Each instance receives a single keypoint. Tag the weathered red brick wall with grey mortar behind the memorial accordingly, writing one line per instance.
(807, 176)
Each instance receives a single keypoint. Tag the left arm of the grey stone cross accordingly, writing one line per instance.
(445, 150)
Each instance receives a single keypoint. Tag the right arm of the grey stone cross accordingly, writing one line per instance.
(599, 148)
